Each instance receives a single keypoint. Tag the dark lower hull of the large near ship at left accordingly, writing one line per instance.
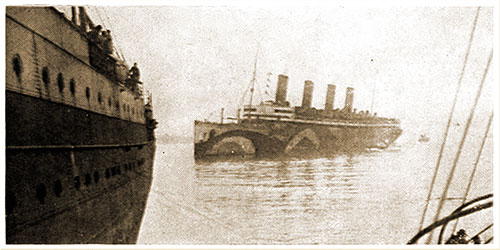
(87, 208)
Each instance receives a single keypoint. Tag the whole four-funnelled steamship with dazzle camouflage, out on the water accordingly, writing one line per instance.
(274, 128)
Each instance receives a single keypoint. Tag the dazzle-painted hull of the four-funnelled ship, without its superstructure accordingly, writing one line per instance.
(269, 138)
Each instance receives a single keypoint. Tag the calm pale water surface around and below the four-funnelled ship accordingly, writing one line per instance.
(375, 197)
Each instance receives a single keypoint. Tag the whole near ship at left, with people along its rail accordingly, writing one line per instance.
(79, 134)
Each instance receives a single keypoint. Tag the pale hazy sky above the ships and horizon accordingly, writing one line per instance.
(196, 60)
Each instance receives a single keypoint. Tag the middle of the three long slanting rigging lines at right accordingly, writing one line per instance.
(462, 142)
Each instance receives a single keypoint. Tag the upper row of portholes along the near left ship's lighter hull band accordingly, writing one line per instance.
(17, 66)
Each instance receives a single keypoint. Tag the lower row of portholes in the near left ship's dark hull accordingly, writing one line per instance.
(41, 190)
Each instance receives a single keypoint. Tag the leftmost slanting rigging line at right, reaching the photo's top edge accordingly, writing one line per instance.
(471, 37)
